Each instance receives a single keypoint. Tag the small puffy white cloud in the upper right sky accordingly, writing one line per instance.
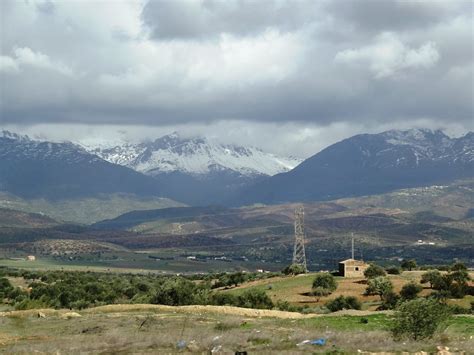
(388, 55)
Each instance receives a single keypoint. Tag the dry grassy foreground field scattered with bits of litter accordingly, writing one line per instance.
(167, 331)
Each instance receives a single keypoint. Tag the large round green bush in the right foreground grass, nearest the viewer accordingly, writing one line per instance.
(419, 319)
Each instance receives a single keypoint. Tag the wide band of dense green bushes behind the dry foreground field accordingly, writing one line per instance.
(79, 290)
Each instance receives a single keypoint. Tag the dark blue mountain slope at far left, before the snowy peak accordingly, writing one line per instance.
(32, 168)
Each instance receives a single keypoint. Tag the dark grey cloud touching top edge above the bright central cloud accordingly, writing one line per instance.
(200, 19)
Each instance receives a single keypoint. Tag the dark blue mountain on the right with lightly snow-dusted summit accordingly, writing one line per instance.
(371, 163)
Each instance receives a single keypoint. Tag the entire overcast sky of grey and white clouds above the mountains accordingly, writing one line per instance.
(290, 77)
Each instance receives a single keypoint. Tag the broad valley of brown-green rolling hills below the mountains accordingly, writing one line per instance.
(416, 223)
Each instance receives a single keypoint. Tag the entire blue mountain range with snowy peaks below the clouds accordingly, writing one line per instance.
(197, 171)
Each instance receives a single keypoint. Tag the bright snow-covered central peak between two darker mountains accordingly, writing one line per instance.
(194, 156)
